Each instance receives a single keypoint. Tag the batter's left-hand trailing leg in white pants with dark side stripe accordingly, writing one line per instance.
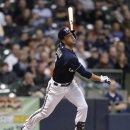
(53, 97)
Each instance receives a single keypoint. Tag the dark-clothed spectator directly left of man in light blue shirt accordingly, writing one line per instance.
(23, 19)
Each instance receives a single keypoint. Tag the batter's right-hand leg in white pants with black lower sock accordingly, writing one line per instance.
(76, 97)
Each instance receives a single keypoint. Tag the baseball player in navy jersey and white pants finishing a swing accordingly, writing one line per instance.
(63, 84)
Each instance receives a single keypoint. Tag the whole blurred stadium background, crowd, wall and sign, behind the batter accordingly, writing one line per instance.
(28, 42)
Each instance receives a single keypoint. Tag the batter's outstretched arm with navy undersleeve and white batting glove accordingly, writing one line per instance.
(82, 71)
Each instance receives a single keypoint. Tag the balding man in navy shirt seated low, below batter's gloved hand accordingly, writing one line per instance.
(115, 99)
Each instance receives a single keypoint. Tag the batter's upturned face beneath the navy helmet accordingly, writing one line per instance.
(69, 39)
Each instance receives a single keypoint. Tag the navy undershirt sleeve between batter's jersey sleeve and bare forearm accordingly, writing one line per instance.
(82, 71)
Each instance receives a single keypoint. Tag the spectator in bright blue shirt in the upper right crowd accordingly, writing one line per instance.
(116, 33)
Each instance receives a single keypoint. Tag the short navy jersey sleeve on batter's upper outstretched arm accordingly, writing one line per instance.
(73, 64)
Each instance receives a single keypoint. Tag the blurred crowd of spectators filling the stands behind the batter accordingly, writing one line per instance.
(29, 29)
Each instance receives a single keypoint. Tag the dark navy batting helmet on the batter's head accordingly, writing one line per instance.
(65, 31)
